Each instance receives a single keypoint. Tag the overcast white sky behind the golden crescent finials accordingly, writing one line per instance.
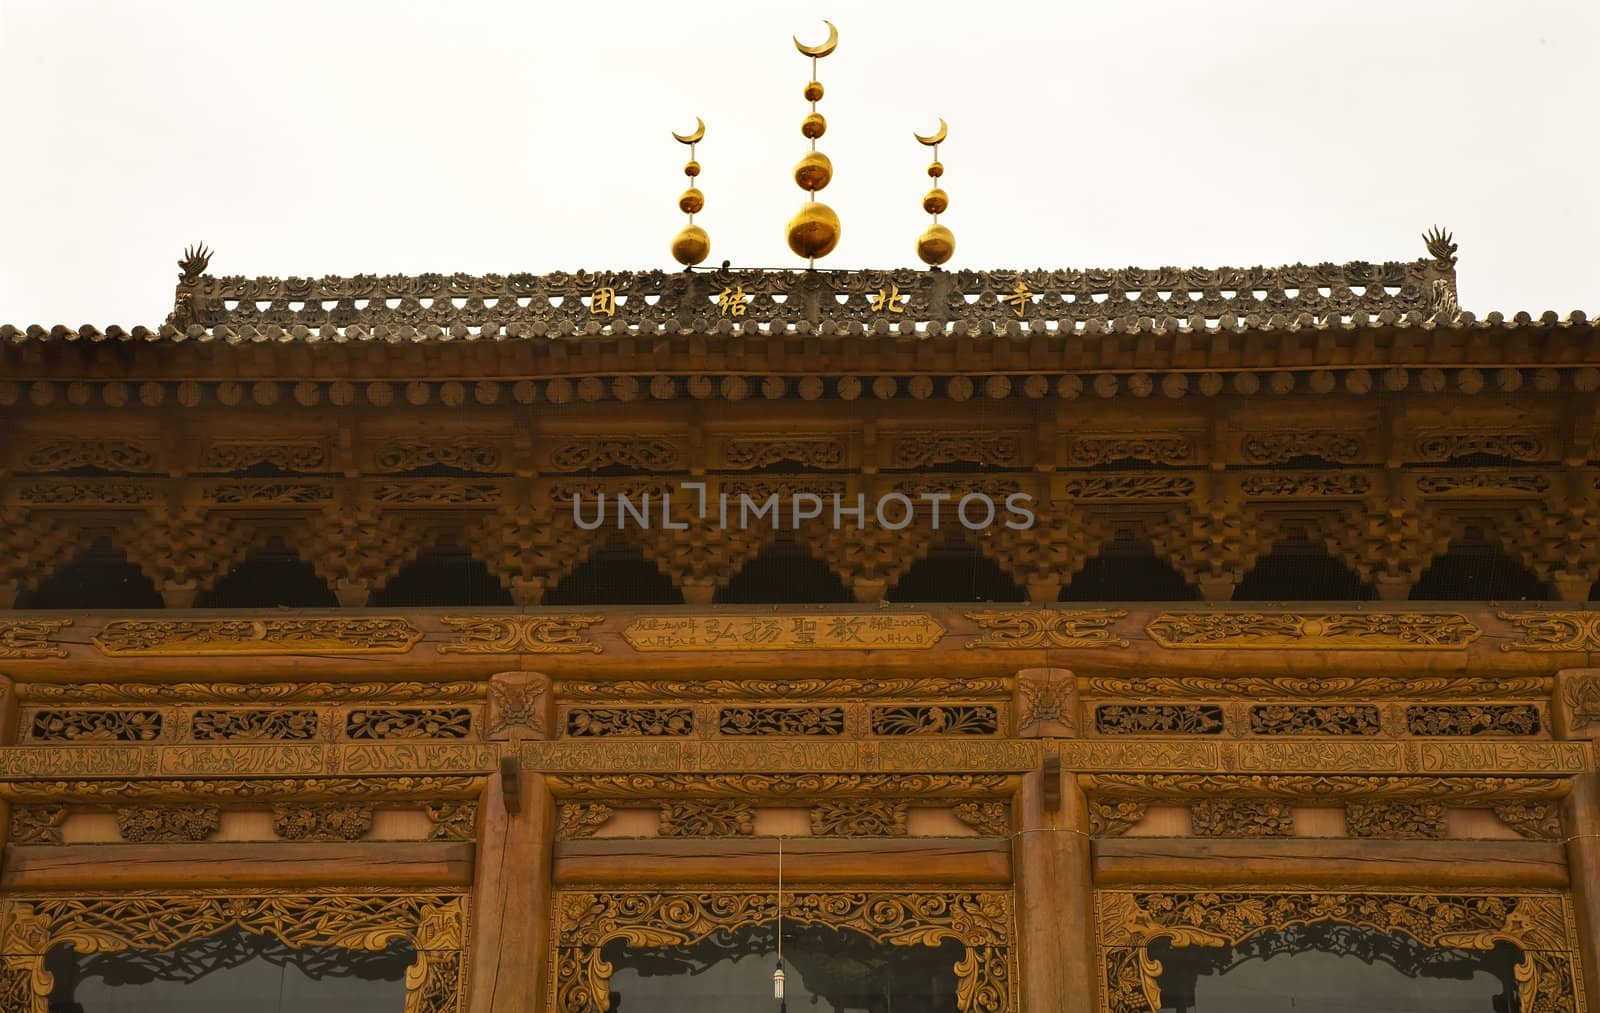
(306, 138)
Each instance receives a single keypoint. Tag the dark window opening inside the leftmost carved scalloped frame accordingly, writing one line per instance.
(236, 972)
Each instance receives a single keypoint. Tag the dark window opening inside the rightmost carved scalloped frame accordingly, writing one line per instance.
(1335, 969)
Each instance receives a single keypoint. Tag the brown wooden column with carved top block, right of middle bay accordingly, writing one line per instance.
(1055, 889)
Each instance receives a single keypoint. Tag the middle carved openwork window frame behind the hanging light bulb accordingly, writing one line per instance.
(586, 921)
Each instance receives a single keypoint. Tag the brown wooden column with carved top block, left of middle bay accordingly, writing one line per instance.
(511, 884)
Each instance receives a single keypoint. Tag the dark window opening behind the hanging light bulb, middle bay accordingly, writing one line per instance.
(825, 969)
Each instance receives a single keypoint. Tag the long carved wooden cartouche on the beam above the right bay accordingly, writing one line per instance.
(1313, 631)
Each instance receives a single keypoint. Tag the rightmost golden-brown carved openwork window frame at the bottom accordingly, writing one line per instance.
(1540, 926)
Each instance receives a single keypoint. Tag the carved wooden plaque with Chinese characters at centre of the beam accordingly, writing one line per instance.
(804, 633)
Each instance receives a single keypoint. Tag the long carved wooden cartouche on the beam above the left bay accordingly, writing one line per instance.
(287, 636)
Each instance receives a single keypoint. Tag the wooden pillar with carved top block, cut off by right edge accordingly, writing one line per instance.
(1578, 718)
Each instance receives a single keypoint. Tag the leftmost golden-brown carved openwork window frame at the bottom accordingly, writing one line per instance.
(434, 923)
